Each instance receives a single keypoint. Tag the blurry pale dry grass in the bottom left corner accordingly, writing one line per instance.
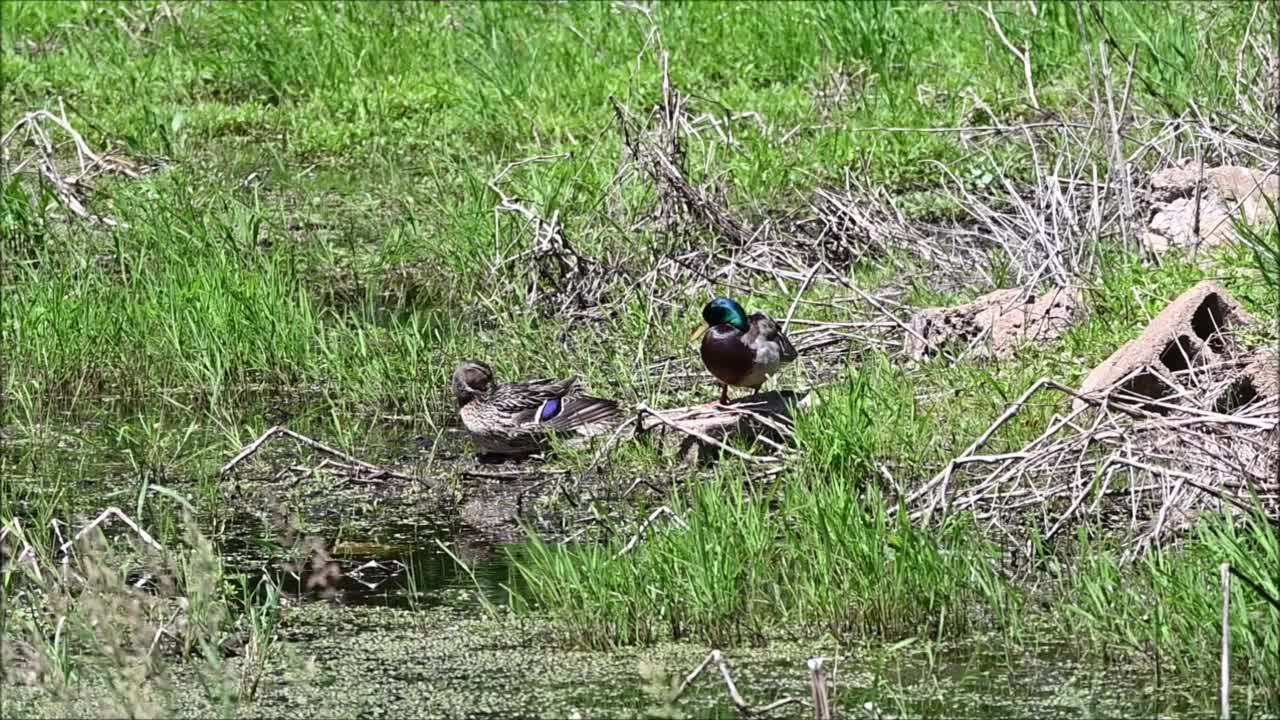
(120, 617)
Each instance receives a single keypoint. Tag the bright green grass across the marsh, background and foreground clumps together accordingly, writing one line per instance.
(321, 241)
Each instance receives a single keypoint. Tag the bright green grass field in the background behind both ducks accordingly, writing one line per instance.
(363, 258)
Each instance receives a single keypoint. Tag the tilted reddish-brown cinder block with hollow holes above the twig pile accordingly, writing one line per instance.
(1195, 331)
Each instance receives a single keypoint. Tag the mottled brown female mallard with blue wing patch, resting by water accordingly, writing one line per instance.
(519, 418)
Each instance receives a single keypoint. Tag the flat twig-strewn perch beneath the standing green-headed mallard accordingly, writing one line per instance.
(703, 431)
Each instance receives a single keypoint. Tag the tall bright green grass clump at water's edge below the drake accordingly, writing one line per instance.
(826, 557)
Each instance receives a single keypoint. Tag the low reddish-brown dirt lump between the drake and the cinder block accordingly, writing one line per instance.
(995, 325)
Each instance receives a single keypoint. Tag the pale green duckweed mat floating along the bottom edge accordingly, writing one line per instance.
(447, 664)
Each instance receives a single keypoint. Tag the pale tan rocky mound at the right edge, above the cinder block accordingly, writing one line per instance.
(1196, 211)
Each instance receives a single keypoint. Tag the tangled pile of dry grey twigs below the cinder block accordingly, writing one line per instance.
(1153, 466)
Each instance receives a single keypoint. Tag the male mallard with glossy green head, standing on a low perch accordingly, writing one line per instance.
(742, 350)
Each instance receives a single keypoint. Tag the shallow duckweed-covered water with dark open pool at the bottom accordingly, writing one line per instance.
(408, 619)
